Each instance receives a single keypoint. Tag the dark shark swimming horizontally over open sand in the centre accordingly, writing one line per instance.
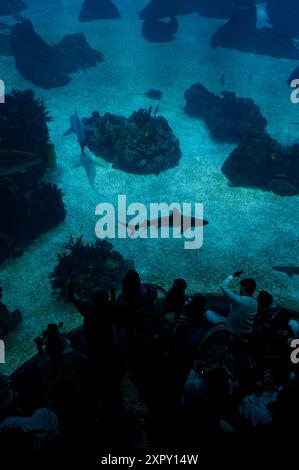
(175, 219)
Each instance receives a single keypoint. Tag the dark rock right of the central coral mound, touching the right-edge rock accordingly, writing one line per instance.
(228, 117)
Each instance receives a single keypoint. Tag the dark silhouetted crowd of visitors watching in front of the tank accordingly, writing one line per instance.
(155, 369)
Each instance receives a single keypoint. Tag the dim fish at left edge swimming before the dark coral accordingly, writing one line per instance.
(16, 161)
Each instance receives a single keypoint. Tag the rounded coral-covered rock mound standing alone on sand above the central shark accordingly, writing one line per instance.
(143, 143)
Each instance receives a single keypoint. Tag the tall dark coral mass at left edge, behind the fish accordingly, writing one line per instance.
(28, 207)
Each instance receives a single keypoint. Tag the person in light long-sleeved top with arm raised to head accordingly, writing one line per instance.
(243, 307)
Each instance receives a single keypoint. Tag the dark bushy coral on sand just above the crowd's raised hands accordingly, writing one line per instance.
(93, 265)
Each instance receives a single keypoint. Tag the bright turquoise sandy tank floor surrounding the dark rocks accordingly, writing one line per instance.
(248, 229)
